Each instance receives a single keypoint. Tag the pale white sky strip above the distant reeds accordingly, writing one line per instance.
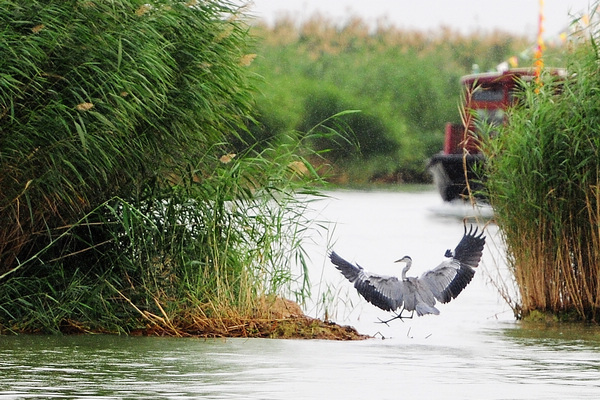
(515, 16)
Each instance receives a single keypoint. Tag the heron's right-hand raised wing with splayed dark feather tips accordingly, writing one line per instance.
(447, 280)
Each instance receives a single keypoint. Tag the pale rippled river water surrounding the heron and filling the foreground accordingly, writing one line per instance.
(473, 350)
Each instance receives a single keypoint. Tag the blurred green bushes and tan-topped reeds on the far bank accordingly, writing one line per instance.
(405, 83)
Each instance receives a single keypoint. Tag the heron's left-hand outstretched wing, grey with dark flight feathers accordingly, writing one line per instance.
(385, 292)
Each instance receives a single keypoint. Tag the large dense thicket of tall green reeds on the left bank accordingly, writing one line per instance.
(122, 203)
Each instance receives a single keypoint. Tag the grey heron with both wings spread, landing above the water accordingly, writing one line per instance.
(443, 283)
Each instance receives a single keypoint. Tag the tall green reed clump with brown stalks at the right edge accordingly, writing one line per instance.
(544, 184)
